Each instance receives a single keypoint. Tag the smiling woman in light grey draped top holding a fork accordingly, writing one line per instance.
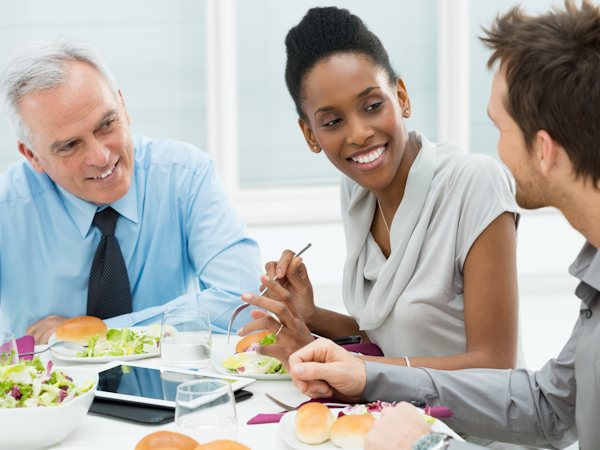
(430, 272)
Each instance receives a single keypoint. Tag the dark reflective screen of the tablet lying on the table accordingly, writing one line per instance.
(146, 383)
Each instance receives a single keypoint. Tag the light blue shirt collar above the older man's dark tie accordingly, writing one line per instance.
(82, 212)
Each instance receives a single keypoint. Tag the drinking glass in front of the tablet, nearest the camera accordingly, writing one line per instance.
(205, 411)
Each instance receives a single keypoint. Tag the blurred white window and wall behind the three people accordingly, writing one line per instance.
(211, 73)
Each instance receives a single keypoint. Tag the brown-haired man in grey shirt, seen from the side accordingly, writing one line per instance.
(545, 101)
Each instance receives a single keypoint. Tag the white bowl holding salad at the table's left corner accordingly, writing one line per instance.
(29, 428)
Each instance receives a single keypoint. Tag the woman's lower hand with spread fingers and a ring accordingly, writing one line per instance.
(291, 331)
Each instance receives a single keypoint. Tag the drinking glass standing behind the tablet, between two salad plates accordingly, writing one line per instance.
(186, 340)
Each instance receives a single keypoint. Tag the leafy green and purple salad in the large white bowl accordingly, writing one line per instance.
(29, 384)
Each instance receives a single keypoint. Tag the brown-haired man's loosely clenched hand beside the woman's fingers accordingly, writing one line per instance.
(324, 369)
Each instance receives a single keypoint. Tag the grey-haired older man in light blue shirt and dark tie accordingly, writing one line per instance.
(96, 221)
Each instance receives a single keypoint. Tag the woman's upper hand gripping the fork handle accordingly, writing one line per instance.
(294, 279)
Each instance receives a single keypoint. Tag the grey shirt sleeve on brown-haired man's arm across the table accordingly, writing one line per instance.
(517, 406)
